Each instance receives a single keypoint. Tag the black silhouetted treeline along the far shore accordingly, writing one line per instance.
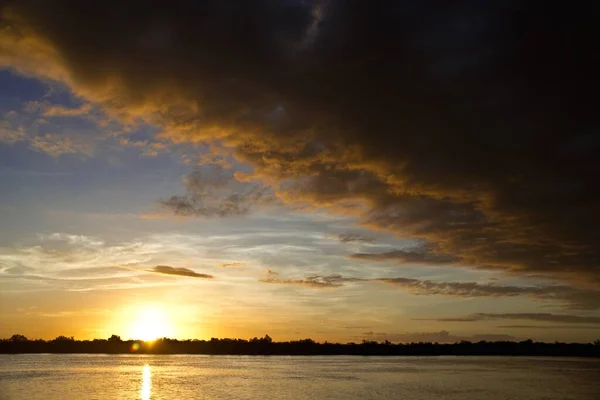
(266, 346)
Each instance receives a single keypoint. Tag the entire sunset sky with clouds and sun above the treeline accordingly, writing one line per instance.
(339, 170)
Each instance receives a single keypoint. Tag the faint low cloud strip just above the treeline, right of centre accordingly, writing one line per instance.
(434, 337)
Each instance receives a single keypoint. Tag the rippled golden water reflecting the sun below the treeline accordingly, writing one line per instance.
(66, 377)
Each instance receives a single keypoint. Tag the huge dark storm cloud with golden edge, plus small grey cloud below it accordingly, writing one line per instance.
(470, 125)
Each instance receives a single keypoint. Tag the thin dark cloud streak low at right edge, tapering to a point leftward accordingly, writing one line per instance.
(542, 317)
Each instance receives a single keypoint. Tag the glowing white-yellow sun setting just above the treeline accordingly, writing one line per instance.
(150, 323)
